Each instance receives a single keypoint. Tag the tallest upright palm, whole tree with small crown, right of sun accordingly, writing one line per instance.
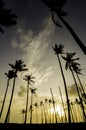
(59, 50)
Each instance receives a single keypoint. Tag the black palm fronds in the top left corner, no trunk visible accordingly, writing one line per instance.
(7, 17)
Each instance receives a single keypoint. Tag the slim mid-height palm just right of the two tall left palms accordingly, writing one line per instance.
(27, 78)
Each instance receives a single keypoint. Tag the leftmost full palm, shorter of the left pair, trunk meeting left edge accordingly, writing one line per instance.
(10, 75)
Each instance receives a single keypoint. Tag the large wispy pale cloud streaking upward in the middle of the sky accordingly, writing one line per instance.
(35, 48)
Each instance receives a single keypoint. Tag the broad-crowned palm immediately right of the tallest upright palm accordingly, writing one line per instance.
(69, 61)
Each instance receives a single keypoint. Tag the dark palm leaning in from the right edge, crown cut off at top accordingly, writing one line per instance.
(55, 7)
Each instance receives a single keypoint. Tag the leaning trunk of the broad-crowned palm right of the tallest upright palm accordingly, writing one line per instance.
(84, 116)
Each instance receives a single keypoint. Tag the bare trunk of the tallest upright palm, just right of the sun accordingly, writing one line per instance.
(67, 99)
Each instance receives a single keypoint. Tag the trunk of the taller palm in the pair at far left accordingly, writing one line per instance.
(8, 112)
